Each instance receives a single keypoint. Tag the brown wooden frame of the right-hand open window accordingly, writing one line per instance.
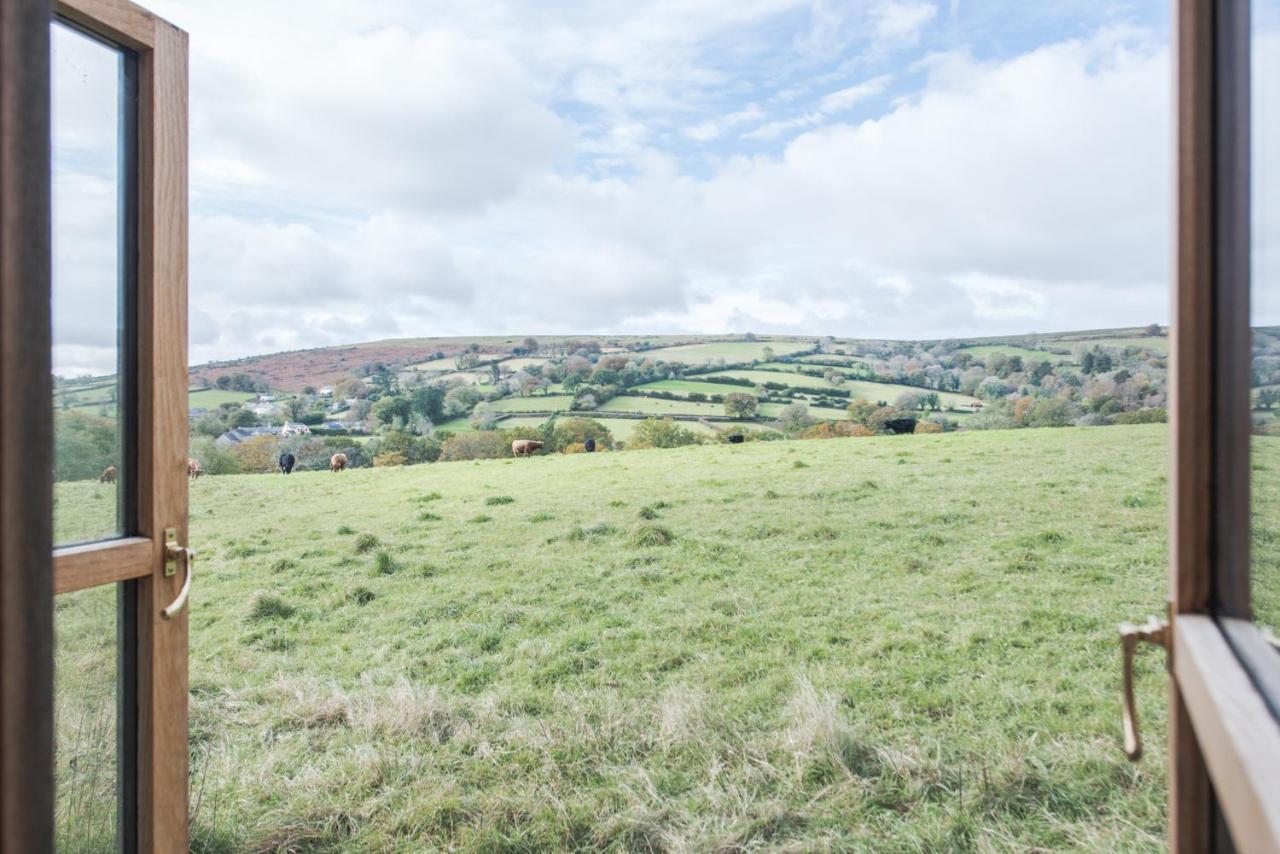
(1224, 739)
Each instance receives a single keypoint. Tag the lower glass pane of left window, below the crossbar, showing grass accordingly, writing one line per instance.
(85, 709)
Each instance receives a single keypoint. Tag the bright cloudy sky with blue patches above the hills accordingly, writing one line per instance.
(870, 168)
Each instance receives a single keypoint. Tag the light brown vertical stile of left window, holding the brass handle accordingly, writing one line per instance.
(163, 436)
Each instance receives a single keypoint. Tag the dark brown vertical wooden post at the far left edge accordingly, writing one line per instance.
(26, 433)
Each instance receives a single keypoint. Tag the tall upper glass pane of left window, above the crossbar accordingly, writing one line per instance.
(88, 230)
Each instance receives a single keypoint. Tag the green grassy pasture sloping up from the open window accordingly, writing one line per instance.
(889, 645)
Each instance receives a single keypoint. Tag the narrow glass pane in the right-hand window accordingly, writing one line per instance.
(1265, 190)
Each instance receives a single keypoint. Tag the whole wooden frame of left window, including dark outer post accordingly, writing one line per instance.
(154, 757)
